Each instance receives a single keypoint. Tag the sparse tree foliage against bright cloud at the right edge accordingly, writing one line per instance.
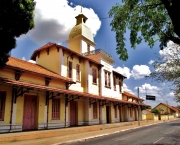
(167, 68)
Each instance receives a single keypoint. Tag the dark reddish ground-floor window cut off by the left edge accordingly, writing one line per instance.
(2, 104)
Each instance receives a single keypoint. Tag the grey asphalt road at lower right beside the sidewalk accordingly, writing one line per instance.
(167, 133)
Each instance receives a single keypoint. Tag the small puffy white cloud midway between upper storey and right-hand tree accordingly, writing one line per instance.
(140, 71)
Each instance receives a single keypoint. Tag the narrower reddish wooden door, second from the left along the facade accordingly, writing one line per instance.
(72, 113)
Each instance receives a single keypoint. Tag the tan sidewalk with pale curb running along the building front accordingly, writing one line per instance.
(65, 135)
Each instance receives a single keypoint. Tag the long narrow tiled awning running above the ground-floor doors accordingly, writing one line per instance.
(58, 90)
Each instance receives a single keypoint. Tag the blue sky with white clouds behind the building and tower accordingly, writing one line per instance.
(53, 22)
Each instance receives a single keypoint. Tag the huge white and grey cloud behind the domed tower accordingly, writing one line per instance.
(55, 18)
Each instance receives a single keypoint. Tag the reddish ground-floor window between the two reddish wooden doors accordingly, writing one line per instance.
(56, 108)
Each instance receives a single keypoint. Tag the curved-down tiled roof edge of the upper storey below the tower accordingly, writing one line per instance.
(44, 47)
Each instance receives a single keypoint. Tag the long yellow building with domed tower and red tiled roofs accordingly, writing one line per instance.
(64, 87)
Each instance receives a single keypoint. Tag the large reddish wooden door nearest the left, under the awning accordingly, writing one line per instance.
(29, 116)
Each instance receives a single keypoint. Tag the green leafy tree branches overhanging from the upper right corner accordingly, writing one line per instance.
(148, 20)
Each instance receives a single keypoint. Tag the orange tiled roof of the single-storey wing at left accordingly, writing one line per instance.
(34, 68)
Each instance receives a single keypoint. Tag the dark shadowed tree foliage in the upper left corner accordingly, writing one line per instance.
(17, 17)
